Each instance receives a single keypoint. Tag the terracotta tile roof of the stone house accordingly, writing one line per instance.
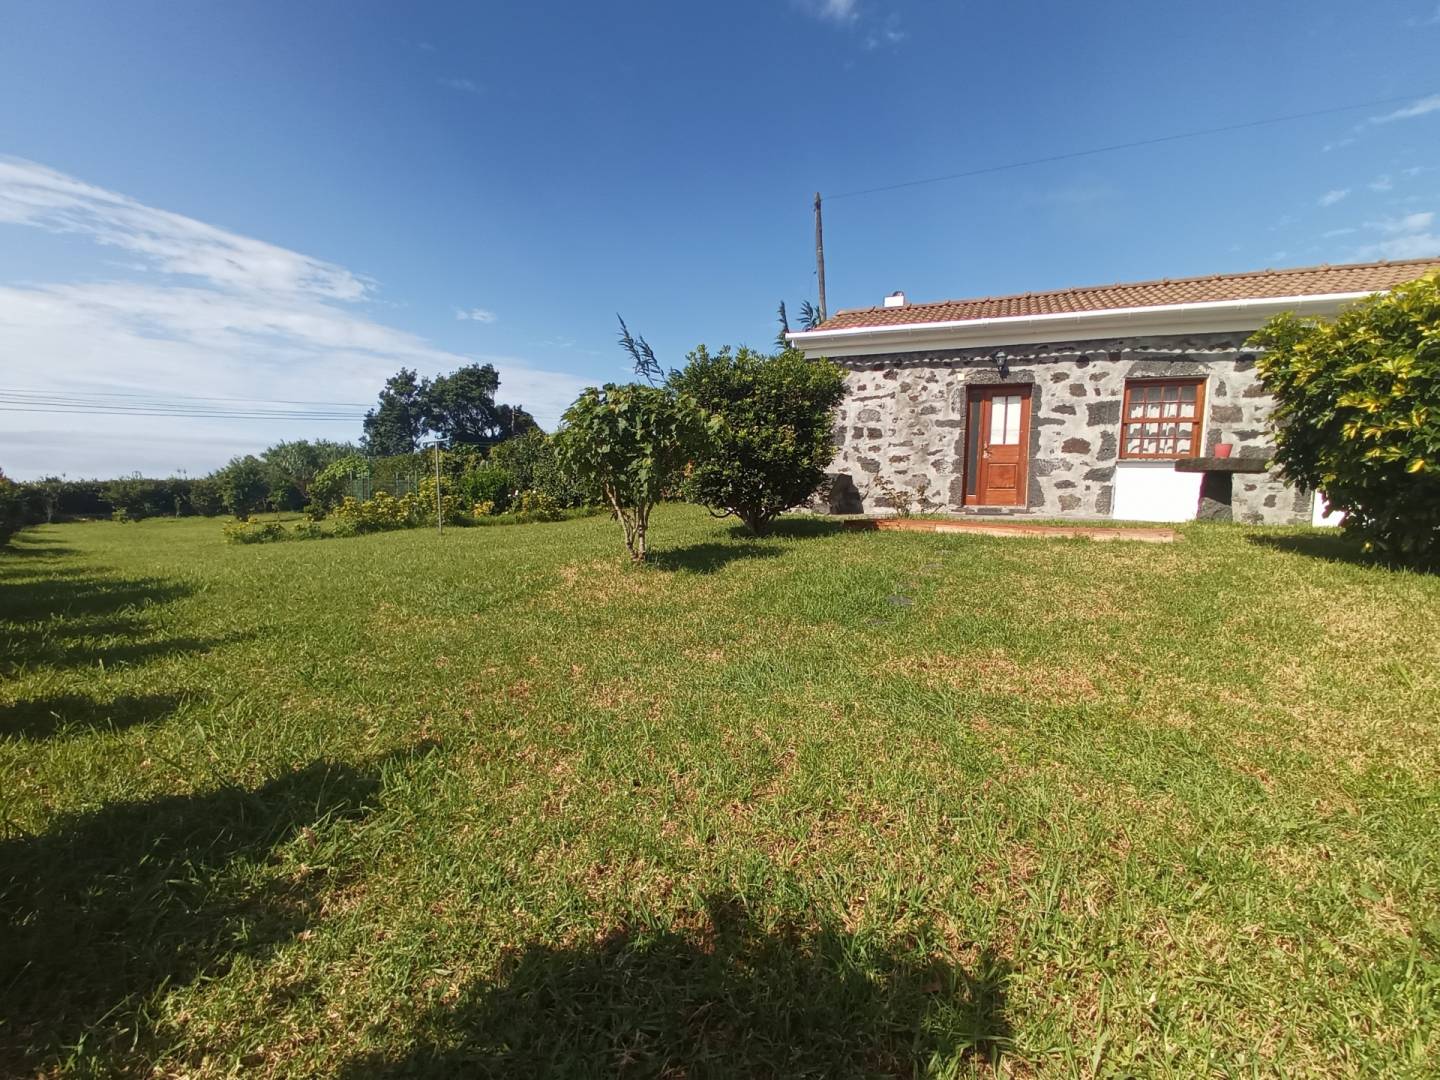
(1305, 282)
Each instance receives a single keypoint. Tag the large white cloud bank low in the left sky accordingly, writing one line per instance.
(217, 316)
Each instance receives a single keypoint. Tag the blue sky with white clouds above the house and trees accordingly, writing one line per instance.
(287, 202)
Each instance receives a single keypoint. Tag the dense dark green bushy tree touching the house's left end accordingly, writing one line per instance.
(775, 434)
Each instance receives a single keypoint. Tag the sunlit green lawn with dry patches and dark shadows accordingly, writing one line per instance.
(819, 806)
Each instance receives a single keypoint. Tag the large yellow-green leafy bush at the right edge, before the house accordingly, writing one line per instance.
(1359, 415)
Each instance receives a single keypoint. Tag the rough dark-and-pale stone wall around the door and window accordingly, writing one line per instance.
(904, 421)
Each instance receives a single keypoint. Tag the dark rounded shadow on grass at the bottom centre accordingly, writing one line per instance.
(731, 999)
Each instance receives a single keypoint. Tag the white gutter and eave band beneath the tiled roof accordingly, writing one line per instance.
(1216, 315)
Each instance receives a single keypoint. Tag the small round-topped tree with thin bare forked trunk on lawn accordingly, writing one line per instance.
(630, 446)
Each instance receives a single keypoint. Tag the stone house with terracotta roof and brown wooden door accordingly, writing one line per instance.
(1084, 402)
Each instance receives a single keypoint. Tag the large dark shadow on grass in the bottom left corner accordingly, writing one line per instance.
(104, 912)
